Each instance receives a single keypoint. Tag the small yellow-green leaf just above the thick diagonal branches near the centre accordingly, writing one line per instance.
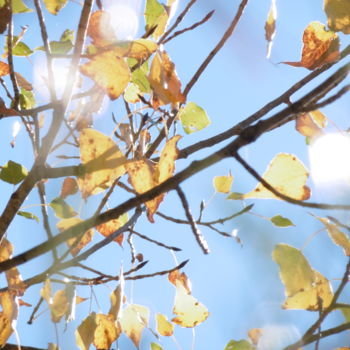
(193, 118)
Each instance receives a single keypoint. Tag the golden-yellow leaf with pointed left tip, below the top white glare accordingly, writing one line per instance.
(109, 71)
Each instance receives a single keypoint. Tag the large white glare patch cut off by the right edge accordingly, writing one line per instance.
(329, 158)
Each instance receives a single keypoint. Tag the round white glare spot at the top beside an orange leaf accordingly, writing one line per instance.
(125, 20)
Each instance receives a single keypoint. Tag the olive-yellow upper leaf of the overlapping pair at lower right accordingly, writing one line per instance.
(295, 271)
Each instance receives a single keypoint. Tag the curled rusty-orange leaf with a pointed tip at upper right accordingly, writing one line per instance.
(320, 47)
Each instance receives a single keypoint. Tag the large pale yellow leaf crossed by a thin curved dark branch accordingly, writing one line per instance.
(288, 175)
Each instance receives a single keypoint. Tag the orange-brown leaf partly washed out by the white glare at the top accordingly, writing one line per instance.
(100, 29)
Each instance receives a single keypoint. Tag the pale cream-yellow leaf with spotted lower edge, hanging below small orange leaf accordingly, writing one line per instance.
(190, 312)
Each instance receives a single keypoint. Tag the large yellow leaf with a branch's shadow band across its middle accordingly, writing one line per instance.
(102, 159)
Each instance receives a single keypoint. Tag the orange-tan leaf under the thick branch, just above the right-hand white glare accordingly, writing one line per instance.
(311, 124)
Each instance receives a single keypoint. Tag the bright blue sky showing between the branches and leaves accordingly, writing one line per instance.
(239, 284)
